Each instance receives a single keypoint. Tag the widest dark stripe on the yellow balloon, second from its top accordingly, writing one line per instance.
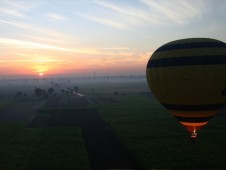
(187, 61)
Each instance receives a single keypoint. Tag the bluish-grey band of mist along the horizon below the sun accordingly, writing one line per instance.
(9, 87)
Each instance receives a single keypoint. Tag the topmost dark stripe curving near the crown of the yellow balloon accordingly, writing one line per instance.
(190, 45)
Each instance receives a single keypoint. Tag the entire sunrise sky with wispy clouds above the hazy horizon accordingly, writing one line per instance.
(108, 37)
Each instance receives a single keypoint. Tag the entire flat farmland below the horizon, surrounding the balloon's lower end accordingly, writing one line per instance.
(52, 136)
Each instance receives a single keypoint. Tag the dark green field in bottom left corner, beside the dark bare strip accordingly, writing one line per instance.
(41, 148)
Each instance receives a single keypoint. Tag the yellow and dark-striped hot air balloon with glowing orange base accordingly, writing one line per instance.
(188, 77)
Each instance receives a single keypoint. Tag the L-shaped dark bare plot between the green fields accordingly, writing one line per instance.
(104, 149)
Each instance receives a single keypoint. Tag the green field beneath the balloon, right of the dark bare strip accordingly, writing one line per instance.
(159, 141)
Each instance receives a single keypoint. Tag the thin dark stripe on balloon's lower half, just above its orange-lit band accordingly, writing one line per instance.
(207, 107)
